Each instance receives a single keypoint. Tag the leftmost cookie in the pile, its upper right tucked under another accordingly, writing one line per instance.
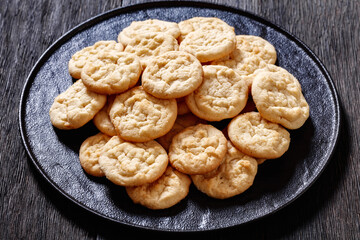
(75, 107)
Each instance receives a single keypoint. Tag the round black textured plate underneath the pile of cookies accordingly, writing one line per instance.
(278, 183)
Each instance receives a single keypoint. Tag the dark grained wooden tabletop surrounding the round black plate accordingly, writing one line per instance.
(31, 209)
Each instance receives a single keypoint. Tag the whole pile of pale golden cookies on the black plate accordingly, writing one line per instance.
(154, 96)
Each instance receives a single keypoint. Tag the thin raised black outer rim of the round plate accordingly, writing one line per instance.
(169, 4)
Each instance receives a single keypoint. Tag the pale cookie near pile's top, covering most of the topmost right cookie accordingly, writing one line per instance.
(209, 43)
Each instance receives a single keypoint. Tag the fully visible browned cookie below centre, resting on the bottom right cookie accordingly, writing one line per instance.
(197, 149)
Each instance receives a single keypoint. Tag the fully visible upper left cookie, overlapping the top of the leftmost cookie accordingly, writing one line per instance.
(112, 72)
